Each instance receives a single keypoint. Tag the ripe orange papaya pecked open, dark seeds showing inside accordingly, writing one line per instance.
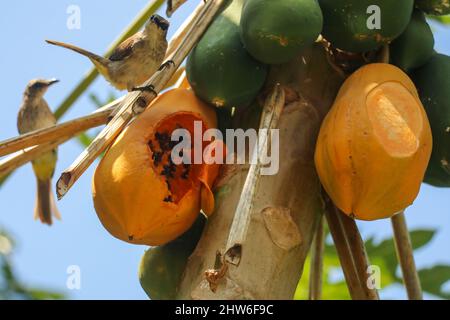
(131, 187)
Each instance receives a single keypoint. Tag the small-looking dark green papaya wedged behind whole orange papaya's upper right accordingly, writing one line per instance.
(415, 46)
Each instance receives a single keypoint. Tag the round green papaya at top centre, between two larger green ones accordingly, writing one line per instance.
(275, 32)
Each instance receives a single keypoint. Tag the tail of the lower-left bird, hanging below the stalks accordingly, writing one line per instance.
(45, 203)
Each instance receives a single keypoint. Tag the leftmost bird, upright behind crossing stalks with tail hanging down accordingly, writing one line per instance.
(35, 114)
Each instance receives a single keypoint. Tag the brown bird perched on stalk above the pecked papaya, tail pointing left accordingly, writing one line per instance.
(134, 60)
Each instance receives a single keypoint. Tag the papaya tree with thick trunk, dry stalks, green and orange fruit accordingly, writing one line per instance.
(359, 103)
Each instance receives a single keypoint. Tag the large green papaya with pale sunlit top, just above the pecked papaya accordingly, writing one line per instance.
(219, 69)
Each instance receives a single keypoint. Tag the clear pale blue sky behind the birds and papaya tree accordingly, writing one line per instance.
(109, 266)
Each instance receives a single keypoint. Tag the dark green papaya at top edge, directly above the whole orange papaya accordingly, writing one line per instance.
(364, 25)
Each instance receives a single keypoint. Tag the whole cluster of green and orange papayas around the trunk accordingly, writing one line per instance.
(387, 132)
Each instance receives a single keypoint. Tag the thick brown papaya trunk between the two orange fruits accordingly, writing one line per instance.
(287, 206)
